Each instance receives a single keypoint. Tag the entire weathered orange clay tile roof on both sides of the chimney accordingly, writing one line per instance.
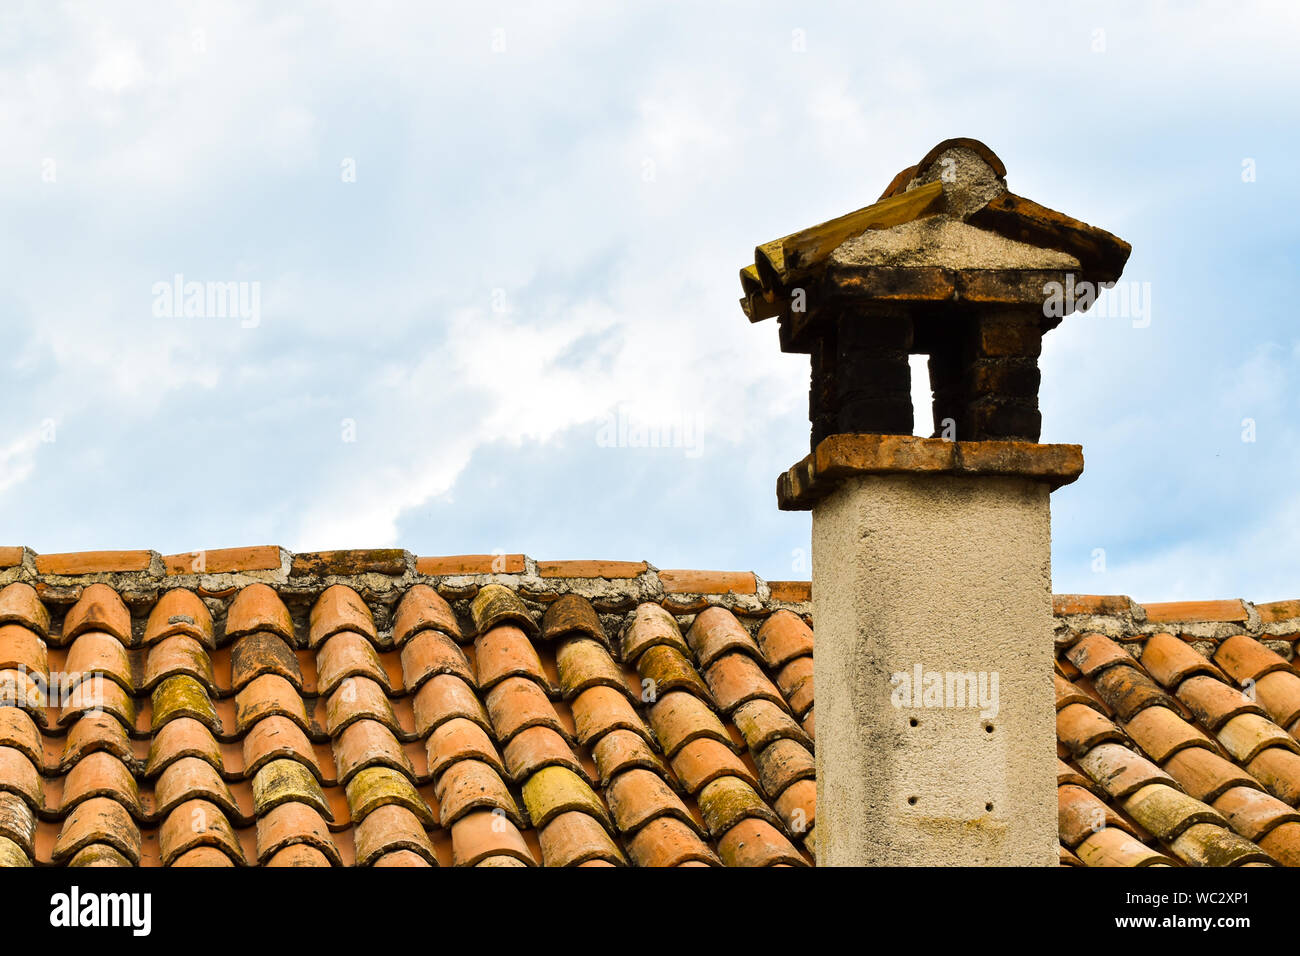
(257, 707)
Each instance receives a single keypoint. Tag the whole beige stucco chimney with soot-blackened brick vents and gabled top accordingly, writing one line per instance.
(931, 557)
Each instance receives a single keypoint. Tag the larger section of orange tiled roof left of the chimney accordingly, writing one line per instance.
(372, 708)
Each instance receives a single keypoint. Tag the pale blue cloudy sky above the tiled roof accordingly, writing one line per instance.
(478, 256)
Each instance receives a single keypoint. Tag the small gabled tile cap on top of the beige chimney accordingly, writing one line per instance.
(944, 230)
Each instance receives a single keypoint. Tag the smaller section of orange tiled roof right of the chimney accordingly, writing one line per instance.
(1177, 733)
